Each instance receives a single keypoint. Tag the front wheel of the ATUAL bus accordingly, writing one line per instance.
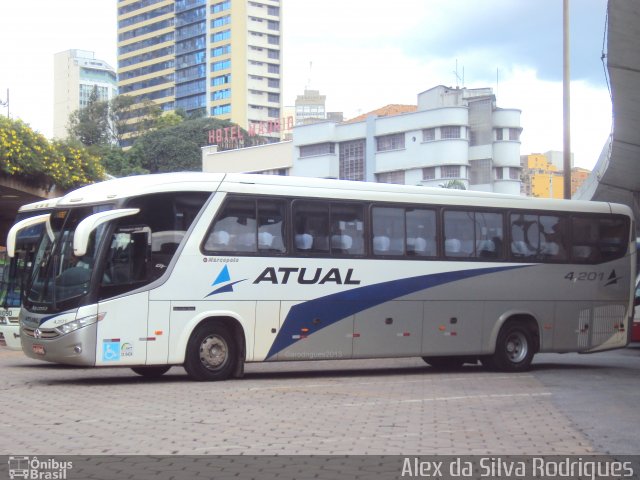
(211, 353)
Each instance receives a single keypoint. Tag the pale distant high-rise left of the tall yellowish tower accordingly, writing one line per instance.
(76, 73)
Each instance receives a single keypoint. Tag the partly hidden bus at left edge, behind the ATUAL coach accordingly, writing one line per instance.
(17, 270)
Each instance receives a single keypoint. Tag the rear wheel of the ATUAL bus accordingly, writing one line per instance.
(515, 348)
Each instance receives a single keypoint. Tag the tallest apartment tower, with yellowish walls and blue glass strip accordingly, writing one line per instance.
(220, 58)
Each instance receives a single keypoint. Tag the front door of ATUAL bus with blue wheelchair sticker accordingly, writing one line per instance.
(123, 335)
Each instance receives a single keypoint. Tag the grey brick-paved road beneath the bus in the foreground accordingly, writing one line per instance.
(567, 404)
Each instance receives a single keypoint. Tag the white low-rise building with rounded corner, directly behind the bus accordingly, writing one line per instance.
(451, 137)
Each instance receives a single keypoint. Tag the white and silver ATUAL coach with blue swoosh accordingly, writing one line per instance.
(210, 271)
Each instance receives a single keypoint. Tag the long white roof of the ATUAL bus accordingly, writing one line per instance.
(119, 188)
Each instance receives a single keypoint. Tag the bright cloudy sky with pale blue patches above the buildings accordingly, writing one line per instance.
(363, 54)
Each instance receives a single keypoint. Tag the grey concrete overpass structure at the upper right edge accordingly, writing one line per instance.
(616, 177)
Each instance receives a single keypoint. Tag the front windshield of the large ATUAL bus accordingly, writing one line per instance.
(60, 279)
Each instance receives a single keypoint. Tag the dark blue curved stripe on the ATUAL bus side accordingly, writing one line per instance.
(335, 307)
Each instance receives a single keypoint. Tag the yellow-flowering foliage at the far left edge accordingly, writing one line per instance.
(30, 157)
